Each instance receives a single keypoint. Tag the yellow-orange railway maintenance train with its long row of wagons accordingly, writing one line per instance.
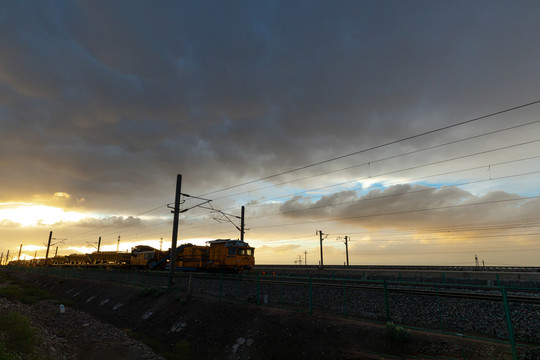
(218, 255)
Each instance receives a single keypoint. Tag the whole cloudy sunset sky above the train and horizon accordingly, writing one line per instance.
(410, 127)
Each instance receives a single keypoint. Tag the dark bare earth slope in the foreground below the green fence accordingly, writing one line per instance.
(108, 321)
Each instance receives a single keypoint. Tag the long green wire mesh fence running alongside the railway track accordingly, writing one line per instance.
(508, 315)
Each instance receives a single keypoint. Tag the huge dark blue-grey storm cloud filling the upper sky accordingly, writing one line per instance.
(101, 97)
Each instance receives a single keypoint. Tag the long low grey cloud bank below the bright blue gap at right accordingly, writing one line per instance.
(411, 206)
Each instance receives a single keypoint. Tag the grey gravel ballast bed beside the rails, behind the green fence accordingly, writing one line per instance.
(457, 315)
